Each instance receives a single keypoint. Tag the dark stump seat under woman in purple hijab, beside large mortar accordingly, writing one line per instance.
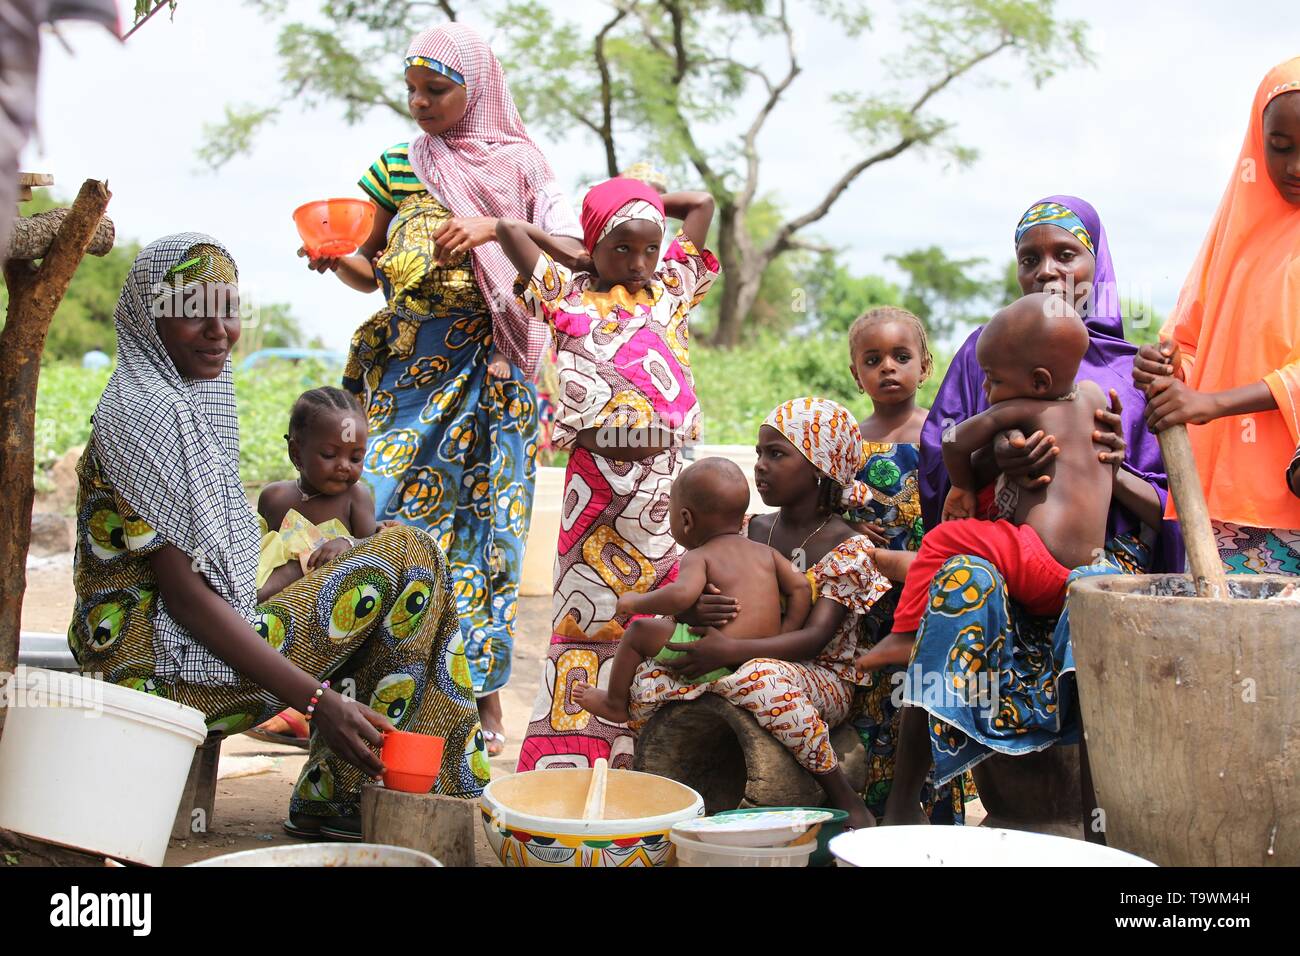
(1038, 793)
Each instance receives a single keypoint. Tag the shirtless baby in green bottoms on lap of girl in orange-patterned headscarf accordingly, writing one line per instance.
(707, 513)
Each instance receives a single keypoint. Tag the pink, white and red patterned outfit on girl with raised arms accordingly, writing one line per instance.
(623, 364)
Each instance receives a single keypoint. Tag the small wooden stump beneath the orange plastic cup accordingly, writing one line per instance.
(443, 827)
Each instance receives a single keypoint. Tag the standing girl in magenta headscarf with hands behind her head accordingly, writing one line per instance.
(626, 406)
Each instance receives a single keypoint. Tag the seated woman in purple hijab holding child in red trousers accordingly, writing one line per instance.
(974, 633)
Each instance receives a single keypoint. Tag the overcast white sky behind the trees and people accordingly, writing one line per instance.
(1149, 136)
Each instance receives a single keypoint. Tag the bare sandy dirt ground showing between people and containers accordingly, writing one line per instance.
(250, 810)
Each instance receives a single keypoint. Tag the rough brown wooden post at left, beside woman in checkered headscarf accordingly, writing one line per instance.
(34, 295)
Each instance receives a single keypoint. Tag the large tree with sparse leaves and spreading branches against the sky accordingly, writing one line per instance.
(668, 75)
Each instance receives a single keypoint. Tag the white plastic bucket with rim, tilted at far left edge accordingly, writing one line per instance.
(94, 767)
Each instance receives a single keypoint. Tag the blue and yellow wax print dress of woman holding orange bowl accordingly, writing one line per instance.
(452, 451)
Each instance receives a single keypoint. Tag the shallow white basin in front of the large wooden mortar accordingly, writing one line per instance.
(970, 846)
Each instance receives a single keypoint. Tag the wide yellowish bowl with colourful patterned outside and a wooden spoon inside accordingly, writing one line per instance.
(535, 819)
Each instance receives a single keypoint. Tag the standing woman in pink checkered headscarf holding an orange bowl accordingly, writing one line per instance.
(454, 443)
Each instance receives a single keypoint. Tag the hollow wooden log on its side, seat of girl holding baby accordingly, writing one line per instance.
(722, 752)
